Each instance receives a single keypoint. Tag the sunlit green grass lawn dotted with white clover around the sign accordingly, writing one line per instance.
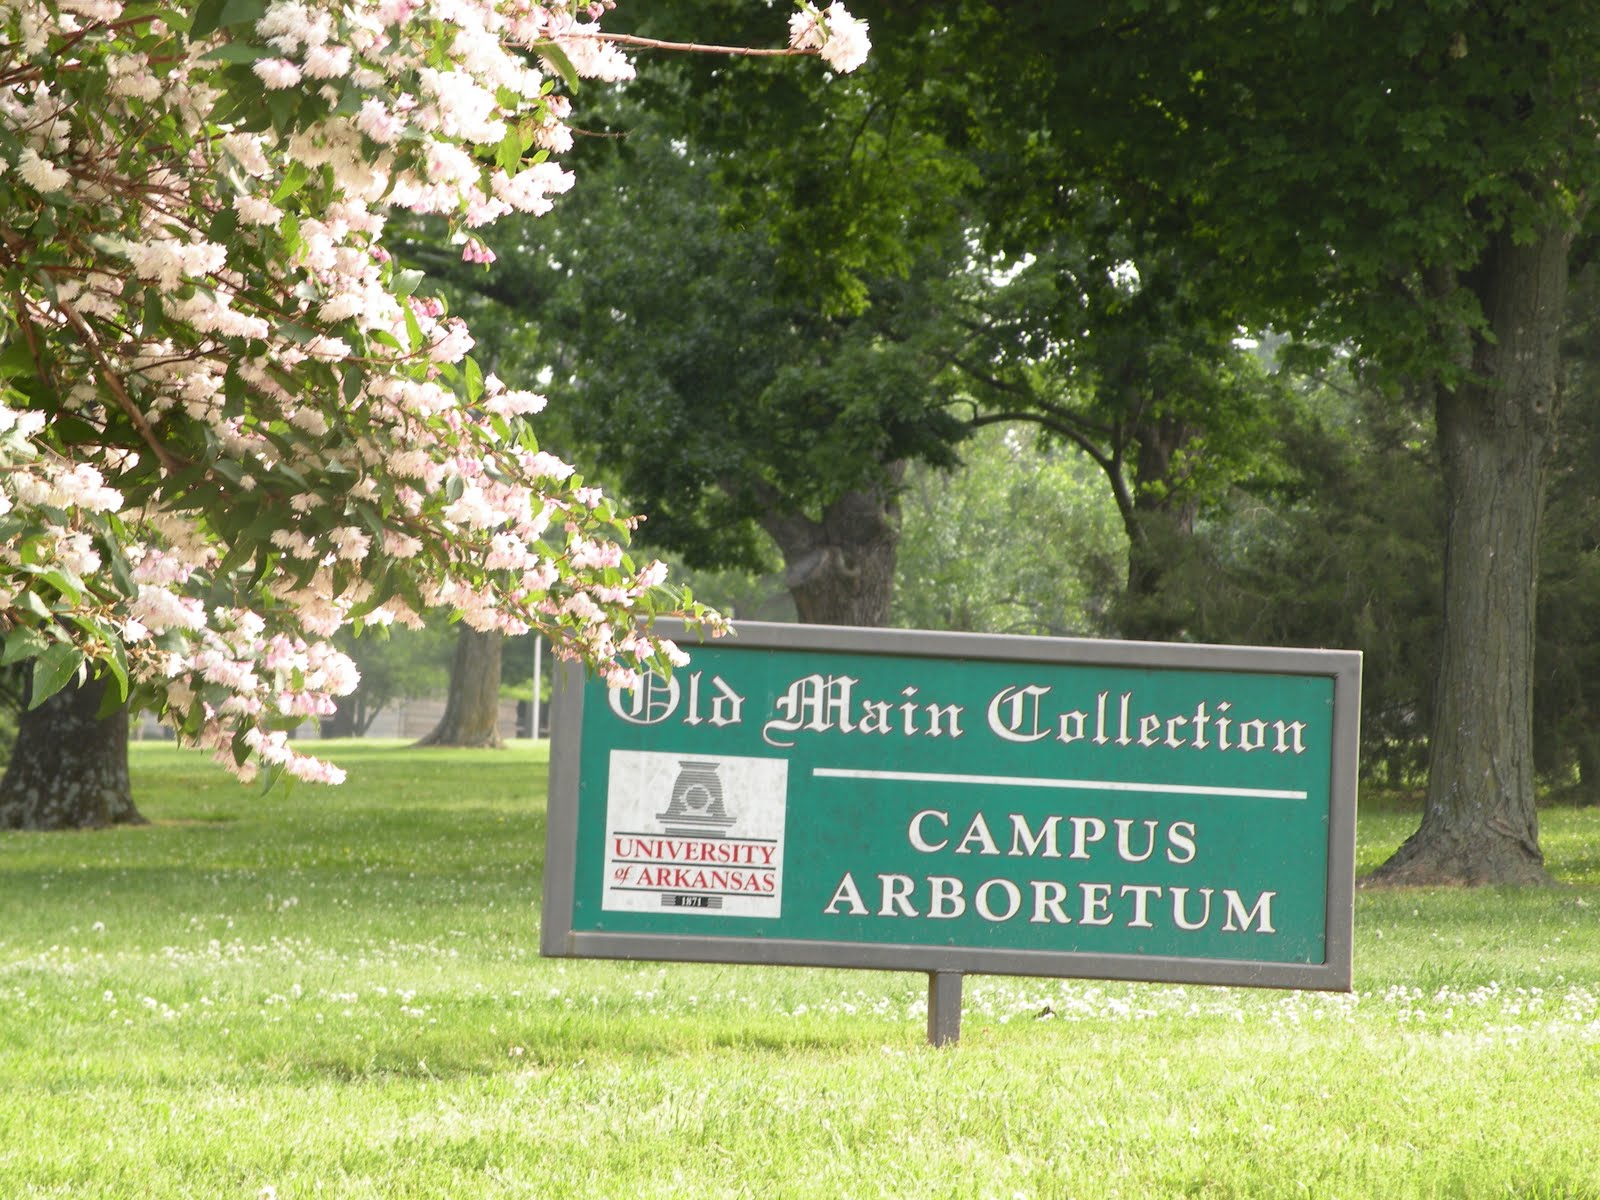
(338, 994)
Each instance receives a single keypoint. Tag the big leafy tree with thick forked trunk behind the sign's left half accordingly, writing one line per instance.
(740, 410)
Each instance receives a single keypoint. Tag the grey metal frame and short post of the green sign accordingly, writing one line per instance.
(946, 964)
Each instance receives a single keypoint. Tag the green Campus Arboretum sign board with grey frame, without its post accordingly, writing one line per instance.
(964, 804)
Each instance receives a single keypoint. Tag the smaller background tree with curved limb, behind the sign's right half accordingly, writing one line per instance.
(1105, 350)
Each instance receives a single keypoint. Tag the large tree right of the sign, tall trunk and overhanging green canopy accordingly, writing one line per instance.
(1407, 180)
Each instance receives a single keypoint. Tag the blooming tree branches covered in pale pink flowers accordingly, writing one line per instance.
(230, 423)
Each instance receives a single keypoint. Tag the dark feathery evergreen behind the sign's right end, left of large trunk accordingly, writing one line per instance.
(1342, 551)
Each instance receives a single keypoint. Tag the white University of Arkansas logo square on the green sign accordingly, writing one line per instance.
(695, 834)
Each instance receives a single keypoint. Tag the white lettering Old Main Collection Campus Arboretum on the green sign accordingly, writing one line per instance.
(962, 834)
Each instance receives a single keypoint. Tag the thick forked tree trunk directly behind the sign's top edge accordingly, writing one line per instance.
(841, 569)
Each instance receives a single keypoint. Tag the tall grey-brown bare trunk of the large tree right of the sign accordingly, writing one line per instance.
(1495, 436)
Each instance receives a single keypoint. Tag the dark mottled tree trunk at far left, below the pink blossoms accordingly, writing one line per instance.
(70, 769)
